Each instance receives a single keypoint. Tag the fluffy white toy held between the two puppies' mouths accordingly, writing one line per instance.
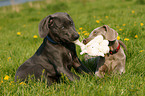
(96, 47)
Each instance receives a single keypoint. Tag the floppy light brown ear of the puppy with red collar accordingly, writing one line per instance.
(111, 34)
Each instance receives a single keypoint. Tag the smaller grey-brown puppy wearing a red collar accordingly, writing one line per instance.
(115, 60)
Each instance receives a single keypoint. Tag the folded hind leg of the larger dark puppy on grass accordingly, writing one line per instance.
(37, 70)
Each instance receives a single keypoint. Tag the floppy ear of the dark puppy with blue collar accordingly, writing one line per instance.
(44, 26)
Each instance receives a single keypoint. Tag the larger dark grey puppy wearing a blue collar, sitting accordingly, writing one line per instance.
(57, 53)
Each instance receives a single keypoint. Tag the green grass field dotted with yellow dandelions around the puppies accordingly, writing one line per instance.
(125, 16)
